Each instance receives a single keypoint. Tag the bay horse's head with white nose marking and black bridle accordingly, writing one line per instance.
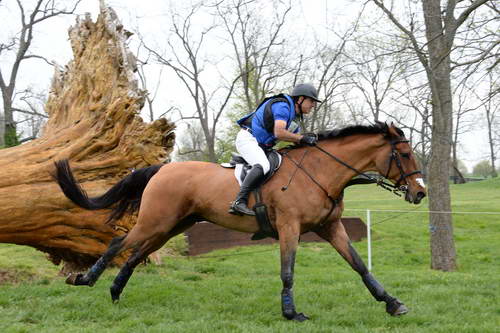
(400, 165)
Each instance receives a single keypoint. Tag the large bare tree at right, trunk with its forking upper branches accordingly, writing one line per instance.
(441, 26)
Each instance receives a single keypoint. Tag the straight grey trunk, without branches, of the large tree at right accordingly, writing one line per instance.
(443, 255)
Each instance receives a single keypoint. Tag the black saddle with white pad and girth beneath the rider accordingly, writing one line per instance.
(241, 168)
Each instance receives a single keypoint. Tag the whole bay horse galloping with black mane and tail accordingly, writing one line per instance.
(173, 197)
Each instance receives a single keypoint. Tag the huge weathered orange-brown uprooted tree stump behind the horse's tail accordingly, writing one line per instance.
(93, 121)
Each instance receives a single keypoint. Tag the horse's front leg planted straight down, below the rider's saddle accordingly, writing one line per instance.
(289, 239)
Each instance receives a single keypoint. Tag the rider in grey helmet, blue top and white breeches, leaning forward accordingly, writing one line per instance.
(253, 138)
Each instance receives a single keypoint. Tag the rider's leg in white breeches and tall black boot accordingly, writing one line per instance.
(248, 147)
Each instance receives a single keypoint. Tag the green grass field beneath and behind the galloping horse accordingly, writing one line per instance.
(238, 290)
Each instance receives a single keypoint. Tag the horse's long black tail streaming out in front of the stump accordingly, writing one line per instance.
(127, 192)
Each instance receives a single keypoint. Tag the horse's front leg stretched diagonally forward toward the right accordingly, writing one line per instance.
(336, 235)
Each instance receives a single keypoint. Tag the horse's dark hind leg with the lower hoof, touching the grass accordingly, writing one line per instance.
(141, 254)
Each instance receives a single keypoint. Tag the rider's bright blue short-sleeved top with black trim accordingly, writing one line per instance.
(281, 111)
